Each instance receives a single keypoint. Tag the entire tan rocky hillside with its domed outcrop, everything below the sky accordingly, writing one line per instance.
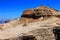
(41, 23)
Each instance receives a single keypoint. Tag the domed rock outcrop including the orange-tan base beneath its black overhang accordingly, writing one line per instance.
(43, 12)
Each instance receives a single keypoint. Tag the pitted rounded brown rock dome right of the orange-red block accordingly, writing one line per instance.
(45, 11)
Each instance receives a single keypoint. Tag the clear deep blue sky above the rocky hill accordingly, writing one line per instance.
(14, 8)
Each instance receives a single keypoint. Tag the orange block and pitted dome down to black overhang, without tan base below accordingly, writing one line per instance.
(40, 11)
